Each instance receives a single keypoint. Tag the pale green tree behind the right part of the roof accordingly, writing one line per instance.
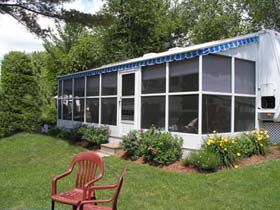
(210, 20)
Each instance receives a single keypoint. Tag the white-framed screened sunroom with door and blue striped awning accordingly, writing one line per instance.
(187, 91)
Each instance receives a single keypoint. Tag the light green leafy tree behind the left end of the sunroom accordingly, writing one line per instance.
(73, 49)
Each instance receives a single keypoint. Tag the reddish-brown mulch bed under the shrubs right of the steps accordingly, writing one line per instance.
(178, 166)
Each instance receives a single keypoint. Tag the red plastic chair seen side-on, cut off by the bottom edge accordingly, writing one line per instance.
(92, 204)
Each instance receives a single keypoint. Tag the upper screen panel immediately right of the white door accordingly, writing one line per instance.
(153, 79)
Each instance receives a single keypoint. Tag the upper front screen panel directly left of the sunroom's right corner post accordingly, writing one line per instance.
(183, 75)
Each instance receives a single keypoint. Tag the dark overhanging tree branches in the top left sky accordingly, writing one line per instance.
(27, 12)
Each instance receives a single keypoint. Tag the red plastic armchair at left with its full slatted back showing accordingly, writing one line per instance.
(88, 164)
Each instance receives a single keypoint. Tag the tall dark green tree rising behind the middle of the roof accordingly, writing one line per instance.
(138, 27)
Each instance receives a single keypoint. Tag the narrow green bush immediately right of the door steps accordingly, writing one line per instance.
(131, 144)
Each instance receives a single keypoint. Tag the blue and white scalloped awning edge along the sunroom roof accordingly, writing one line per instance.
(176, 57)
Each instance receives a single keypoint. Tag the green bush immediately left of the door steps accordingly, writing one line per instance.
(95, 135)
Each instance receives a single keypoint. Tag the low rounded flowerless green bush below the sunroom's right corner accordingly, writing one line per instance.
(203, 160)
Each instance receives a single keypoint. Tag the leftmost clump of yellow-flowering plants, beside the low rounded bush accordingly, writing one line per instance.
(224, 147)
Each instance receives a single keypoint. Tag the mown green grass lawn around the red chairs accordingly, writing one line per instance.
(29, 161)
